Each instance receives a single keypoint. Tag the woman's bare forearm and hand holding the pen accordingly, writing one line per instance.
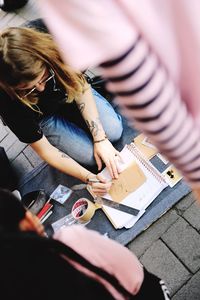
(67, 165)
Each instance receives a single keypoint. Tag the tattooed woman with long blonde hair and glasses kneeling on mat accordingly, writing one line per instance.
(50, 106)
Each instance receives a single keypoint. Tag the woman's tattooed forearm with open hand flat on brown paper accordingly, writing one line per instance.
(103, 149)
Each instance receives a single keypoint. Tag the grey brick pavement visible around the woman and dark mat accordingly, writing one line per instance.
(170, 247)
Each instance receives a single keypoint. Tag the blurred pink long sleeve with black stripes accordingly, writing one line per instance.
(151, 102)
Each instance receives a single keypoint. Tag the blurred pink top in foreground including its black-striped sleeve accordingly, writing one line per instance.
(154, 51)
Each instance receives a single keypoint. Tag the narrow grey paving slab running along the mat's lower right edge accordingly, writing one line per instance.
(145, 240)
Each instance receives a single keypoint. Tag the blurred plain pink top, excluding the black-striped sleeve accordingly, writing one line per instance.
(94, 31)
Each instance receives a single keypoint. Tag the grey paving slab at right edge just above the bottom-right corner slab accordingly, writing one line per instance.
(184, 241)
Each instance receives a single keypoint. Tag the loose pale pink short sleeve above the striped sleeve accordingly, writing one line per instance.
(77, 18)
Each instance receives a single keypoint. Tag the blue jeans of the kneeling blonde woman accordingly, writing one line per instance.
(76, 140)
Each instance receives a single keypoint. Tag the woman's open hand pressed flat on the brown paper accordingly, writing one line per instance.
(105, 152)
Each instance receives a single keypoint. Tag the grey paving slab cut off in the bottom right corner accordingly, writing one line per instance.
(191, 290)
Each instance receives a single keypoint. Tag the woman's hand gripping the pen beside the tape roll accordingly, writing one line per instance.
(101, 186)
